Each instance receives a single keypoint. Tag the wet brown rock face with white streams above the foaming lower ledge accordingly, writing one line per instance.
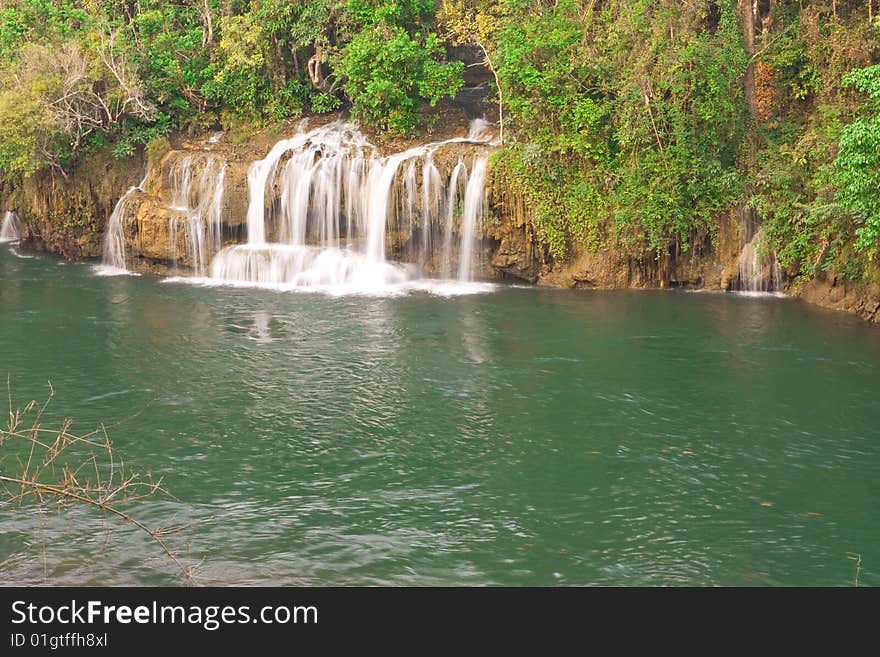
(196, 199)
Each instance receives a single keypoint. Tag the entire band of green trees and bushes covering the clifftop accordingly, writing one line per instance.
(634, 124)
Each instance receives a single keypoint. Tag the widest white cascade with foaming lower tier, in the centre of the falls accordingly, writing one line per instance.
(332, 200)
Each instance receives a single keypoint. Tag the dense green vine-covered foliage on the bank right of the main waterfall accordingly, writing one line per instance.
(660, 116)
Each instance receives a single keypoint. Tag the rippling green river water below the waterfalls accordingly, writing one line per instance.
(515, 437)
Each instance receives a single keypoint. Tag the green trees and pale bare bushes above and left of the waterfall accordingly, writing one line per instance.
(76, 74)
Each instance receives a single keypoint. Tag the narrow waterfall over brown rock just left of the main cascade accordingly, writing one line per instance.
(197, 207)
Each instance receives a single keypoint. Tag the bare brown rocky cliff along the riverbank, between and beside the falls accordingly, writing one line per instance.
(69, 216)
